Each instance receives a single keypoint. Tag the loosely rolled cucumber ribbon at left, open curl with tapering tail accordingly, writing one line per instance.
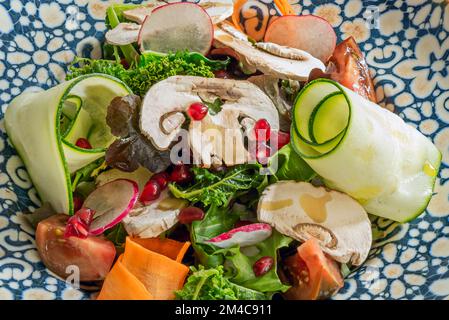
(44, 127)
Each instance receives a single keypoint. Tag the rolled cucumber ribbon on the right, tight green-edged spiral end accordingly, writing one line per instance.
(364, 150)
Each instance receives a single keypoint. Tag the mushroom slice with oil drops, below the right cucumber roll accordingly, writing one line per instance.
(302, 211)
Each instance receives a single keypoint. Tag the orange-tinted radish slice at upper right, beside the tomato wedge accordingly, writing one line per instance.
(309, 33)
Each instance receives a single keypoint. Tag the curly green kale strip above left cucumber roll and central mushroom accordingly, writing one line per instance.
(141, 78)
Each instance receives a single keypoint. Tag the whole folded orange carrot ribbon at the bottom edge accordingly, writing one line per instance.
(148, 269)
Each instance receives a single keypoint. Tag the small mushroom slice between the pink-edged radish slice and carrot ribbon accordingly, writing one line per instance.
(152, 220)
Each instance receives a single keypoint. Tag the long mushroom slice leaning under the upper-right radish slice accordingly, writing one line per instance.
(270, 59)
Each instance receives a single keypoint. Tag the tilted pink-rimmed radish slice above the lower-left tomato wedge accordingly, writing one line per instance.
(111, 202)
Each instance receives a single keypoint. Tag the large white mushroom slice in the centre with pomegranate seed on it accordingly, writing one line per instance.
(169, 98)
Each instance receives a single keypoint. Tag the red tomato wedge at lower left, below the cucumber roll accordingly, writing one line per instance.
(93, 256)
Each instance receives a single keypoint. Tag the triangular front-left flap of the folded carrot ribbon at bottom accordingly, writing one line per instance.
(120, 284)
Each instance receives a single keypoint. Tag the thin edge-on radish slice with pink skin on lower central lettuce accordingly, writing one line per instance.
(244, 236)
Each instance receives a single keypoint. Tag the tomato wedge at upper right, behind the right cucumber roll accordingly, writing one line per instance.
(348, 67)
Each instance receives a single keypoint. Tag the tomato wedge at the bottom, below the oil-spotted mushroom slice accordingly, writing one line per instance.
(313, 275)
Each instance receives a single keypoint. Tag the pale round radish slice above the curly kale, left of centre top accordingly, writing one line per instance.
(177, 27)
